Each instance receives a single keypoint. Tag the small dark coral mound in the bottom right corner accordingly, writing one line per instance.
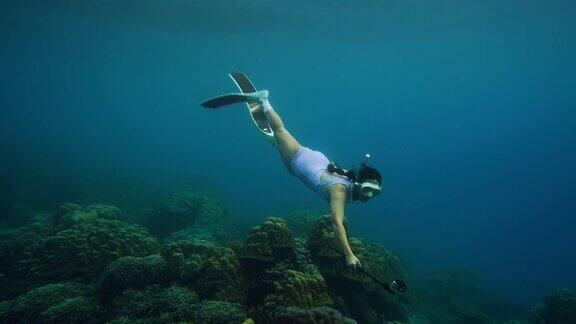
(557, 308)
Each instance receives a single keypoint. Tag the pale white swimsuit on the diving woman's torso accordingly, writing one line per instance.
(312, 168)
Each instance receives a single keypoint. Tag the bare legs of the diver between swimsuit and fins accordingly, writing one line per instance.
(287, 145)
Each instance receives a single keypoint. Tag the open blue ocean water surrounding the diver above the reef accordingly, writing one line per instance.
(467, 108)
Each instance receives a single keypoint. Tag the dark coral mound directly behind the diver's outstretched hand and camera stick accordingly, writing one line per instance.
(361, 296)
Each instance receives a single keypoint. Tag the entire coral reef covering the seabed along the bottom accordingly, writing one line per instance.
(87, 264)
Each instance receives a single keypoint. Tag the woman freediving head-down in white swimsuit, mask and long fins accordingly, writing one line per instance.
(334, 184)
